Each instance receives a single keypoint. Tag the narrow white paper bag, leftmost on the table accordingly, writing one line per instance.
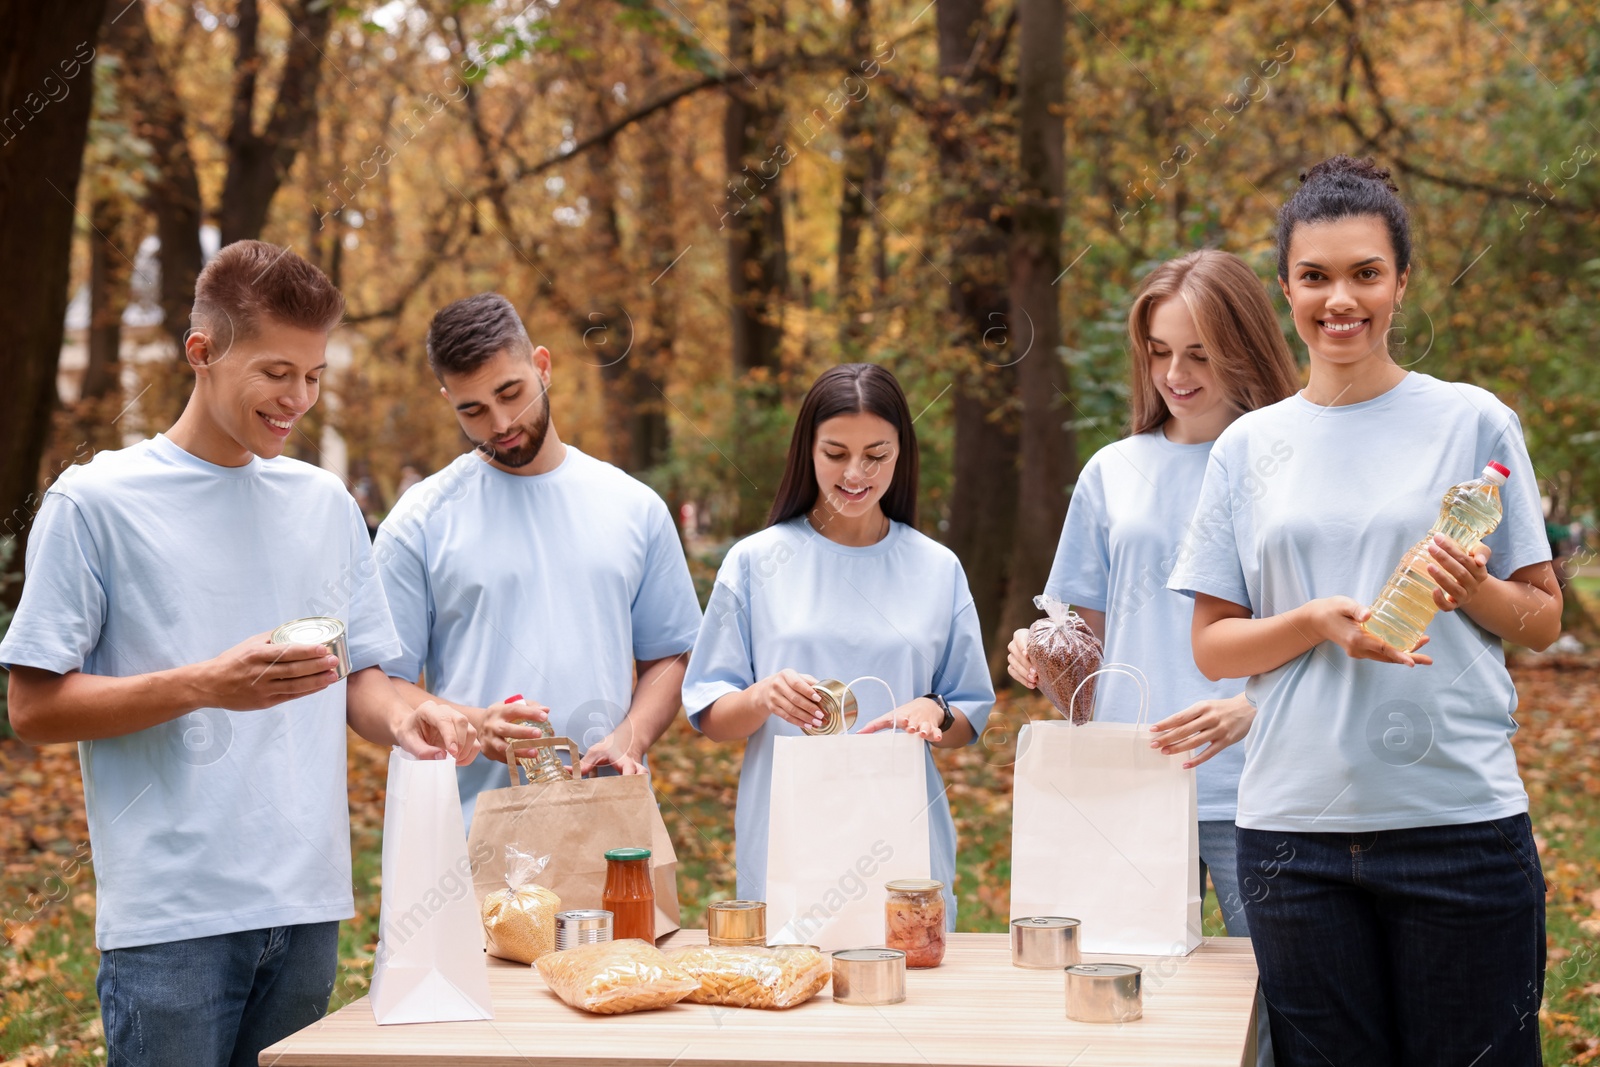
(431, 964)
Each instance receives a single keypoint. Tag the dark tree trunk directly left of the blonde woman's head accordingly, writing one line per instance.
(1049, 449)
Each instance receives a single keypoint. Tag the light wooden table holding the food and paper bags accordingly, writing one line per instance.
(977, 1010)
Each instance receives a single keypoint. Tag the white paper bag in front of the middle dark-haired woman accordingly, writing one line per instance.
(849, 813)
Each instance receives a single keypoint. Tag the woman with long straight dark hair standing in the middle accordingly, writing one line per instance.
(841, 585)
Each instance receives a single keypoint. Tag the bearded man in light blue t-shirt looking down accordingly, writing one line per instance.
(527, 567)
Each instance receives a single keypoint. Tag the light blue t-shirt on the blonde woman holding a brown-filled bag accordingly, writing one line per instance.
(1118, 548)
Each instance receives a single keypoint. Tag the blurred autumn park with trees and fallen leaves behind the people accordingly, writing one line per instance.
(698, 206)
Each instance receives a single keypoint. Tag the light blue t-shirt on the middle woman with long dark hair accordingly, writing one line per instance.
(898, 610)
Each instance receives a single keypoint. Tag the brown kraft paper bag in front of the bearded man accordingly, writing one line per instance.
(575, 823)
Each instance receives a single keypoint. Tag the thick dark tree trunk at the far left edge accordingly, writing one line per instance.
(42, 134)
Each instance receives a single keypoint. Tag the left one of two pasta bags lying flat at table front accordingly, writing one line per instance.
(615, 977)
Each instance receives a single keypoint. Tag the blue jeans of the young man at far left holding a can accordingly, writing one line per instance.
(215, 1002)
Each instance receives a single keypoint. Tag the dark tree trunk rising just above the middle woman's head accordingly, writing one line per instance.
(753, 212)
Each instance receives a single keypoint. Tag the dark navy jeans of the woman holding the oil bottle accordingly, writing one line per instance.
(1399, 948)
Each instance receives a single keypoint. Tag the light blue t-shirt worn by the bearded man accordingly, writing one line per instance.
(546, 585)
